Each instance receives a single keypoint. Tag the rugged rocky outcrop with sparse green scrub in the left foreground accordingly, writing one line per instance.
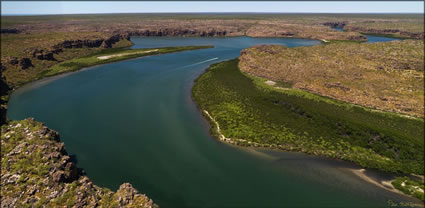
(37, 172)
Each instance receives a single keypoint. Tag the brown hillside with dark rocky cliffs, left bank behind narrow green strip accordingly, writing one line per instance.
(24, 56)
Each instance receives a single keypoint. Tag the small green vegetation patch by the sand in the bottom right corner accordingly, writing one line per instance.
(410, 187)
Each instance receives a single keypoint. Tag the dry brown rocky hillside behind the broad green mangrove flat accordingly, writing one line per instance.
(387, 76)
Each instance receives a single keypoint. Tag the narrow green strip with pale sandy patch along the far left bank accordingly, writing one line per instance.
(116, 55)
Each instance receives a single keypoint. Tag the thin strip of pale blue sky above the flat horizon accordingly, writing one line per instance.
(75, 7)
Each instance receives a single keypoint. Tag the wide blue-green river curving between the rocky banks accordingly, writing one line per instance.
(134, 121)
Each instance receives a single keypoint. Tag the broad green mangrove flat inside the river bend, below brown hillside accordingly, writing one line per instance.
(295, 120)
